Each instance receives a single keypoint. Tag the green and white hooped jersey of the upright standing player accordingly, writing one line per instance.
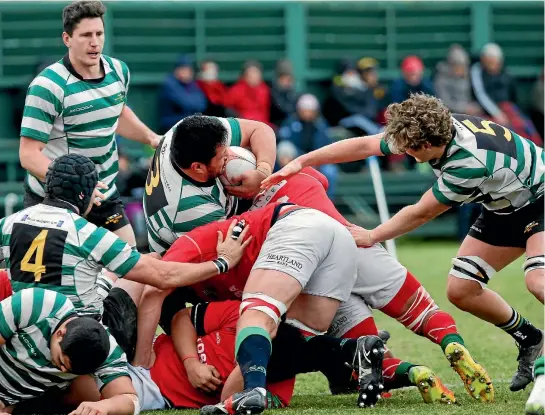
(72, 115)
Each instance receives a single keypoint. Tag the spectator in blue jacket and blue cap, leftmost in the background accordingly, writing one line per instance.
(180, 95)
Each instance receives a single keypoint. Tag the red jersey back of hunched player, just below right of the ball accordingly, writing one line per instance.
(307, 188)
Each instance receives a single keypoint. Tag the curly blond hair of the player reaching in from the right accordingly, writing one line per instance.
(418, 120)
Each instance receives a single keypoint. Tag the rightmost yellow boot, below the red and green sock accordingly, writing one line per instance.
(476, 381)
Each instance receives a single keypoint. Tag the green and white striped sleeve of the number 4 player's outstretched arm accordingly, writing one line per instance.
(104, 248)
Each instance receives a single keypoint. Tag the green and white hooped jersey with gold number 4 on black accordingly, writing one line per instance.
(51, 247)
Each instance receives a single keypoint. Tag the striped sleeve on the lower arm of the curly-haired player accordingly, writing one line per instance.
(457, 184)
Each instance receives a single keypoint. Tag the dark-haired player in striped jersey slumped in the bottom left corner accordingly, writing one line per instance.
(44, 345)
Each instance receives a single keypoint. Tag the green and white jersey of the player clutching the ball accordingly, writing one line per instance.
(175, 204)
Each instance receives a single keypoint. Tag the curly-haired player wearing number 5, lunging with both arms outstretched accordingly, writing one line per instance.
(476, 161)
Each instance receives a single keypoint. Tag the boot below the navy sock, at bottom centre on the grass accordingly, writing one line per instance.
(247, 402)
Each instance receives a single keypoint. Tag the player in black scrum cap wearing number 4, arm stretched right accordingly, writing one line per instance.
(51, 245)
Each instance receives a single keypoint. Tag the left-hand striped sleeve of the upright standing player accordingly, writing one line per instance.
(43, 105)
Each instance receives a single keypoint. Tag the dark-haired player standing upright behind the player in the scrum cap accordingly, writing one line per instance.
(77, 105)
